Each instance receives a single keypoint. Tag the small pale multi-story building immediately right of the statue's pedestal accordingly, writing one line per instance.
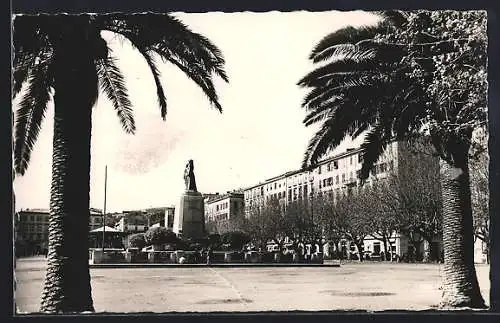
(223, 207)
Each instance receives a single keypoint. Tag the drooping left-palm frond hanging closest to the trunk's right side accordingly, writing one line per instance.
(113, 85)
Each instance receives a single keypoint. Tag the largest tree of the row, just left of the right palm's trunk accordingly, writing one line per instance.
(411, 196)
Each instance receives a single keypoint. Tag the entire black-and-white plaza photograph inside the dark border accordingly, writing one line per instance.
(250, 161)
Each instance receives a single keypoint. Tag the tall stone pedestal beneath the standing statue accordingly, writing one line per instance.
(189, 222)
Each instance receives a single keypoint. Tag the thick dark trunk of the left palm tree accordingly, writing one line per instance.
(67, 283)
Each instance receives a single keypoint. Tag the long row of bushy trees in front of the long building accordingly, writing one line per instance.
(407, 201)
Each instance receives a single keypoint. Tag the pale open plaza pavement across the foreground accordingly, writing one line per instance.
(369, 286)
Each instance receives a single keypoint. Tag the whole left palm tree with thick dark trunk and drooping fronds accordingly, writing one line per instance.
(64, 58)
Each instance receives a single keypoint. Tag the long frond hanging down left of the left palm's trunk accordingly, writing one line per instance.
(29, 116)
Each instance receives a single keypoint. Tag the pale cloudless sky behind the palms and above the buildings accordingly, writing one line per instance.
(259, 134)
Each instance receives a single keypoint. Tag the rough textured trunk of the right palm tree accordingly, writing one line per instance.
(460, 285)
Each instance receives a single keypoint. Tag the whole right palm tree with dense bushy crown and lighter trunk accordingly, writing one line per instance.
(411, 75)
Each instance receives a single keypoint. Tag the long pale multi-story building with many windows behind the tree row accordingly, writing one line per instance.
(334, 175)
